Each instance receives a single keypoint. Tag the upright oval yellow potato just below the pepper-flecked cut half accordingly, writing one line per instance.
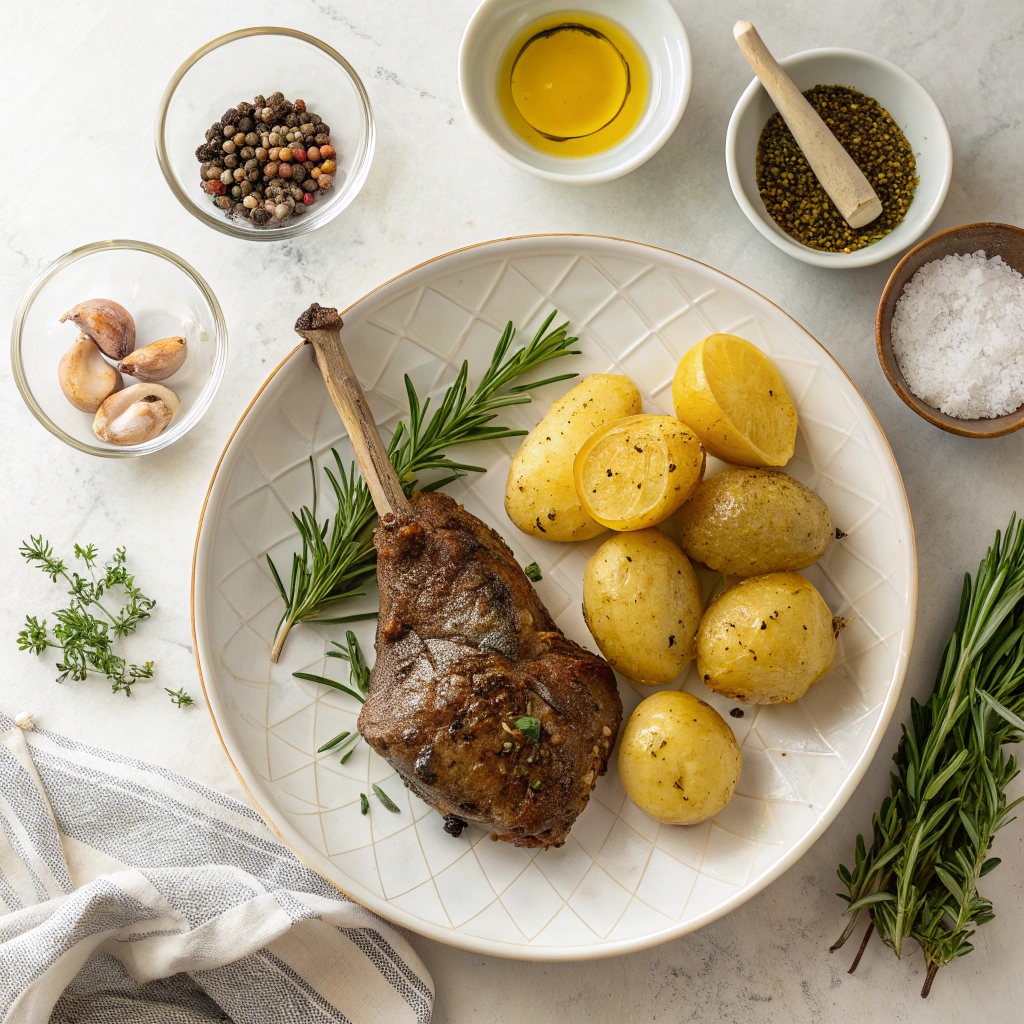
(643, 603)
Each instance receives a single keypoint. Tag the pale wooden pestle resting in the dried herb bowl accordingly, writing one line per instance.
(835, 168)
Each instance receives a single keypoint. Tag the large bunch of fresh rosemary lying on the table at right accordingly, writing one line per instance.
(931, 839)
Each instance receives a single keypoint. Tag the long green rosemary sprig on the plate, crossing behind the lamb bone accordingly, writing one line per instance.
(337, 558)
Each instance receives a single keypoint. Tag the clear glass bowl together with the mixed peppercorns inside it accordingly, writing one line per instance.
(260, 160)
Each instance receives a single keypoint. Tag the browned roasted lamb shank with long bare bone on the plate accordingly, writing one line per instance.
(478, 700)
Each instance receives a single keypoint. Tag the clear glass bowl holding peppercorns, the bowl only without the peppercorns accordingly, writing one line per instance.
(239, 67)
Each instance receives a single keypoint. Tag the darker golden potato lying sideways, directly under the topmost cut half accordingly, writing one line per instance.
(751, 522)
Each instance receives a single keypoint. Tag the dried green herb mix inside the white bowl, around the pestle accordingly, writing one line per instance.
(793, 195)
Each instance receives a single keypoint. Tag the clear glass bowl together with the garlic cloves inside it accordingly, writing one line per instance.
(119, 348)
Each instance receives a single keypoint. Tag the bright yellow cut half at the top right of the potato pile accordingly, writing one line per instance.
(735, 400)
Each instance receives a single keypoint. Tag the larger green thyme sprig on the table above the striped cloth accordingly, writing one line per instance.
(86, 631)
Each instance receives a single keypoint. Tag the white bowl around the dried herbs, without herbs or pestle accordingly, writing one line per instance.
(905, 98)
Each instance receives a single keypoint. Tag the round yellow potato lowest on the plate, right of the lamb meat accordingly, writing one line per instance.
(678, 759)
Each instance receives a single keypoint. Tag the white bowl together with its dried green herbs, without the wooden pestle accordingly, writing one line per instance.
(888, 123)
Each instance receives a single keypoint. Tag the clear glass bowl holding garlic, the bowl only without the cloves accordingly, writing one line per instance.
(165, 297)
